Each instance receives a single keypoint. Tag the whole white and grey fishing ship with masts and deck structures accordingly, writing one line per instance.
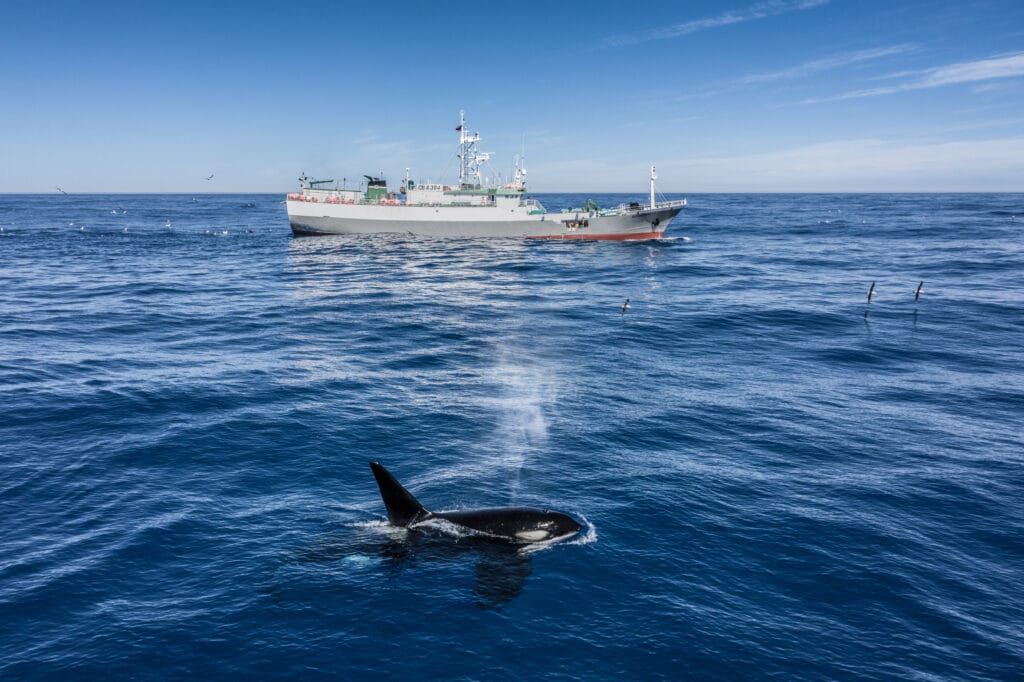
(470, 208)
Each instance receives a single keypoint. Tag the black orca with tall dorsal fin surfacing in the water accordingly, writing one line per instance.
(514, 525)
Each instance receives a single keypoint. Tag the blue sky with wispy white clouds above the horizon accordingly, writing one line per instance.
(744, 96)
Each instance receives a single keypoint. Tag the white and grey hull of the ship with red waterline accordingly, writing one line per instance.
(641, 224)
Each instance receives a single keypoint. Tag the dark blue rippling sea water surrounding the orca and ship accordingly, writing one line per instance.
(779, 480)
